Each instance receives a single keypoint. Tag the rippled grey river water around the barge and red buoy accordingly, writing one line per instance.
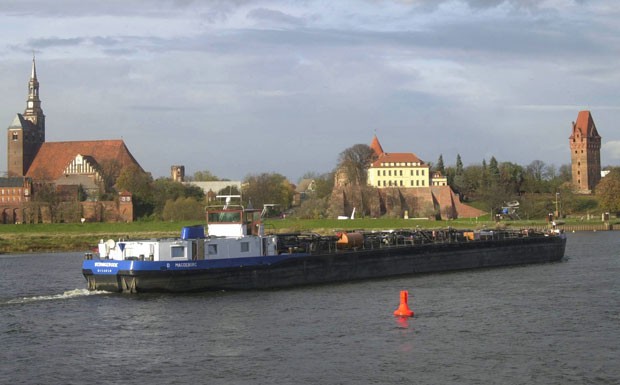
(555, 323)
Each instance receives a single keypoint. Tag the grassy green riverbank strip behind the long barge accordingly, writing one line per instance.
(28, 238)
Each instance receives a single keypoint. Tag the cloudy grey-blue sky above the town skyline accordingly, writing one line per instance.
(241, 87)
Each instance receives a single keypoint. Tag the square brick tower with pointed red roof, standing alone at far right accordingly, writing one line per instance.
(585, 147)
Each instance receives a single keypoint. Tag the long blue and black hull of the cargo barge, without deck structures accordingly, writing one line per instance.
(294, 269)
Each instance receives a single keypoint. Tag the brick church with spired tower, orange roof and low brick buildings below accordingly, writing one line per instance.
(73, 171)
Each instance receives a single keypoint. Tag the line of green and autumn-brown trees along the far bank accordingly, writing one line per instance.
(540, 188)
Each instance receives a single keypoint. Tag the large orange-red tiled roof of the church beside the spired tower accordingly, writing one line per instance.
(53, 157)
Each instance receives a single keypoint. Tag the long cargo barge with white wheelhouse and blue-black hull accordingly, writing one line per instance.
(236, 254)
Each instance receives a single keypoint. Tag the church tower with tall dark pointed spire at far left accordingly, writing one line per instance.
(27, 132)
